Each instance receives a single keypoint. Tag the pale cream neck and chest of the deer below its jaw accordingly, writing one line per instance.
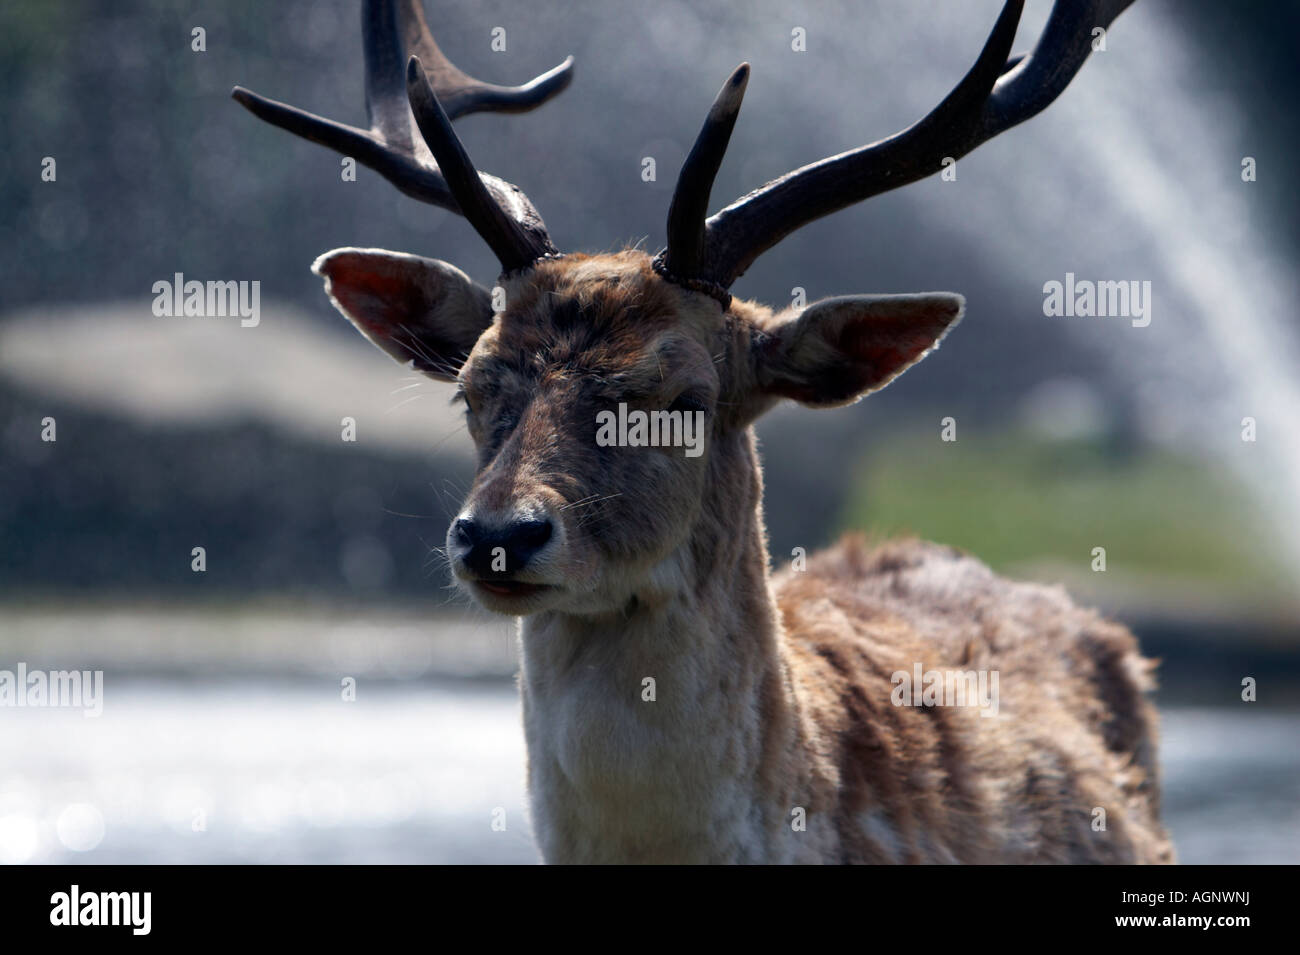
(657, 732)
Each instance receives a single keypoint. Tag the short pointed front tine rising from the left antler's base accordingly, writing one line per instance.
(515, 245)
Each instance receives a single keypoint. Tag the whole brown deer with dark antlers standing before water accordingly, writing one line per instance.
(682, 701)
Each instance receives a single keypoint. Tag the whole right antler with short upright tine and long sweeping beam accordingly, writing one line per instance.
(994, 97)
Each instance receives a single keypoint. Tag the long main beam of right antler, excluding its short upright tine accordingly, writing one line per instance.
(995, 95)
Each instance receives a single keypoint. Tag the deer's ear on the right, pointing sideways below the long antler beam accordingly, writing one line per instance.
(838, 350)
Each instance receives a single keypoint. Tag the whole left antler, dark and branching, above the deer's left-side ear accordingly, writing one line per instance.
(398, 42)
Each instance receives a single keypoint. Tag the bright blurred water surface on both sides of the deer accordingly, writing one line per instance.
(283, 771)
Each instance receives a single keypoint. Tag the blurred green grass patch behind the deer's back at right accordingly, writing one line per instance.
(1015, 501)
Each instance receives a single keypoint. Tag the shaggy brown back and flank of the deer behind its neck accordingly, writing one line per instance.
(1078, 733)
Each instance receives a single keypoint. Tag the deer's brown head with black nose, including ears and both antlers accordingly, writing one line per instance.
(556, 520)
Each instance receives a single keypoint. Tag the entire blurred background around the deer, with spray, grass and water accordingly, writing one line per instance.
(224, 735)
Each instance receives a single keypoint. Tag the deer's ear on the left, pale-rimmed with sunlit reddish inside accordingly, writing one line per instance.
(421, 311)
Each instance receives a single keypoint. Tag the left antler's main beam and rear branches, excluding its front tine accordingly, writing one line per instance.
(393, 146)
